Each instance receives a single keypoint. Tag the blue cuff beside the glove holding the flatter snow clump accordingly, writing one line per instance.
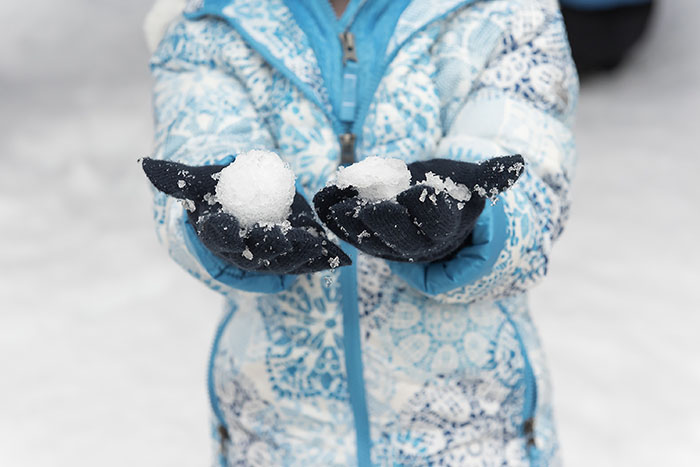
(470, 263)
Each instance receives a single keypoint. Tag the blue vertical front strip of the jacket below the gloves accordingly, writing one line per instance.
(353, 357)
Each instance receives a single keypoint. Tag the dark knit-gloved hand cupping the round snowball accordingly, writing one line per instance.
(300, 249)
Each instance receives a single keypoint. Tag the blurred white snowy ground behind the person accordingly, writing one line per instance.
(103, 340)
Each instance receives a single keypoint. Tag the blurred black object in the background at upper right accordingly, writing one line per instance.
(602, 32)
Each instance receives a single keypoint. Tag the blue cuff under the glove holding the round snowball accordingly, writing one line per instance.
(230, 275)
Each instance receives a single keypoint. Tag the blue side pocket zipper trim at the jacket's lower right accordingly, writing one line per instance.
(530, 396)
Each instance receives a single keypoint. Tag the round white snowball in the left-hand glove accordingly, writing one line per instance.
(258, 187)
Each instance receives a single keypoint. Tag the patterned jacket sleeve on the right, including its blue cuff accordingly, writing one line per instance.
(521, 102)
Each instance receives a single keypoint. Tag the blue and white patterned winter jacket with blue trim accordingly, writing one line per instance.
(378, 363)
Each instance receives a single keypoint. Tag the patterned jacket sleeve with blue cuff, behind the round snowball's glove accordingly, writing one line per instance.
(203, 115)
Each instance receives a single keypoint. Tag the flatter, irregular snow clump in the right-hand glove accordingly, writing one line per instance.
(375, 178)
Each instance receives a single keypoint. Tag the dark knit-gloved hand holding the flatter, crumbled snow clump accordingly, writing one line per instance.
(423, 224)
